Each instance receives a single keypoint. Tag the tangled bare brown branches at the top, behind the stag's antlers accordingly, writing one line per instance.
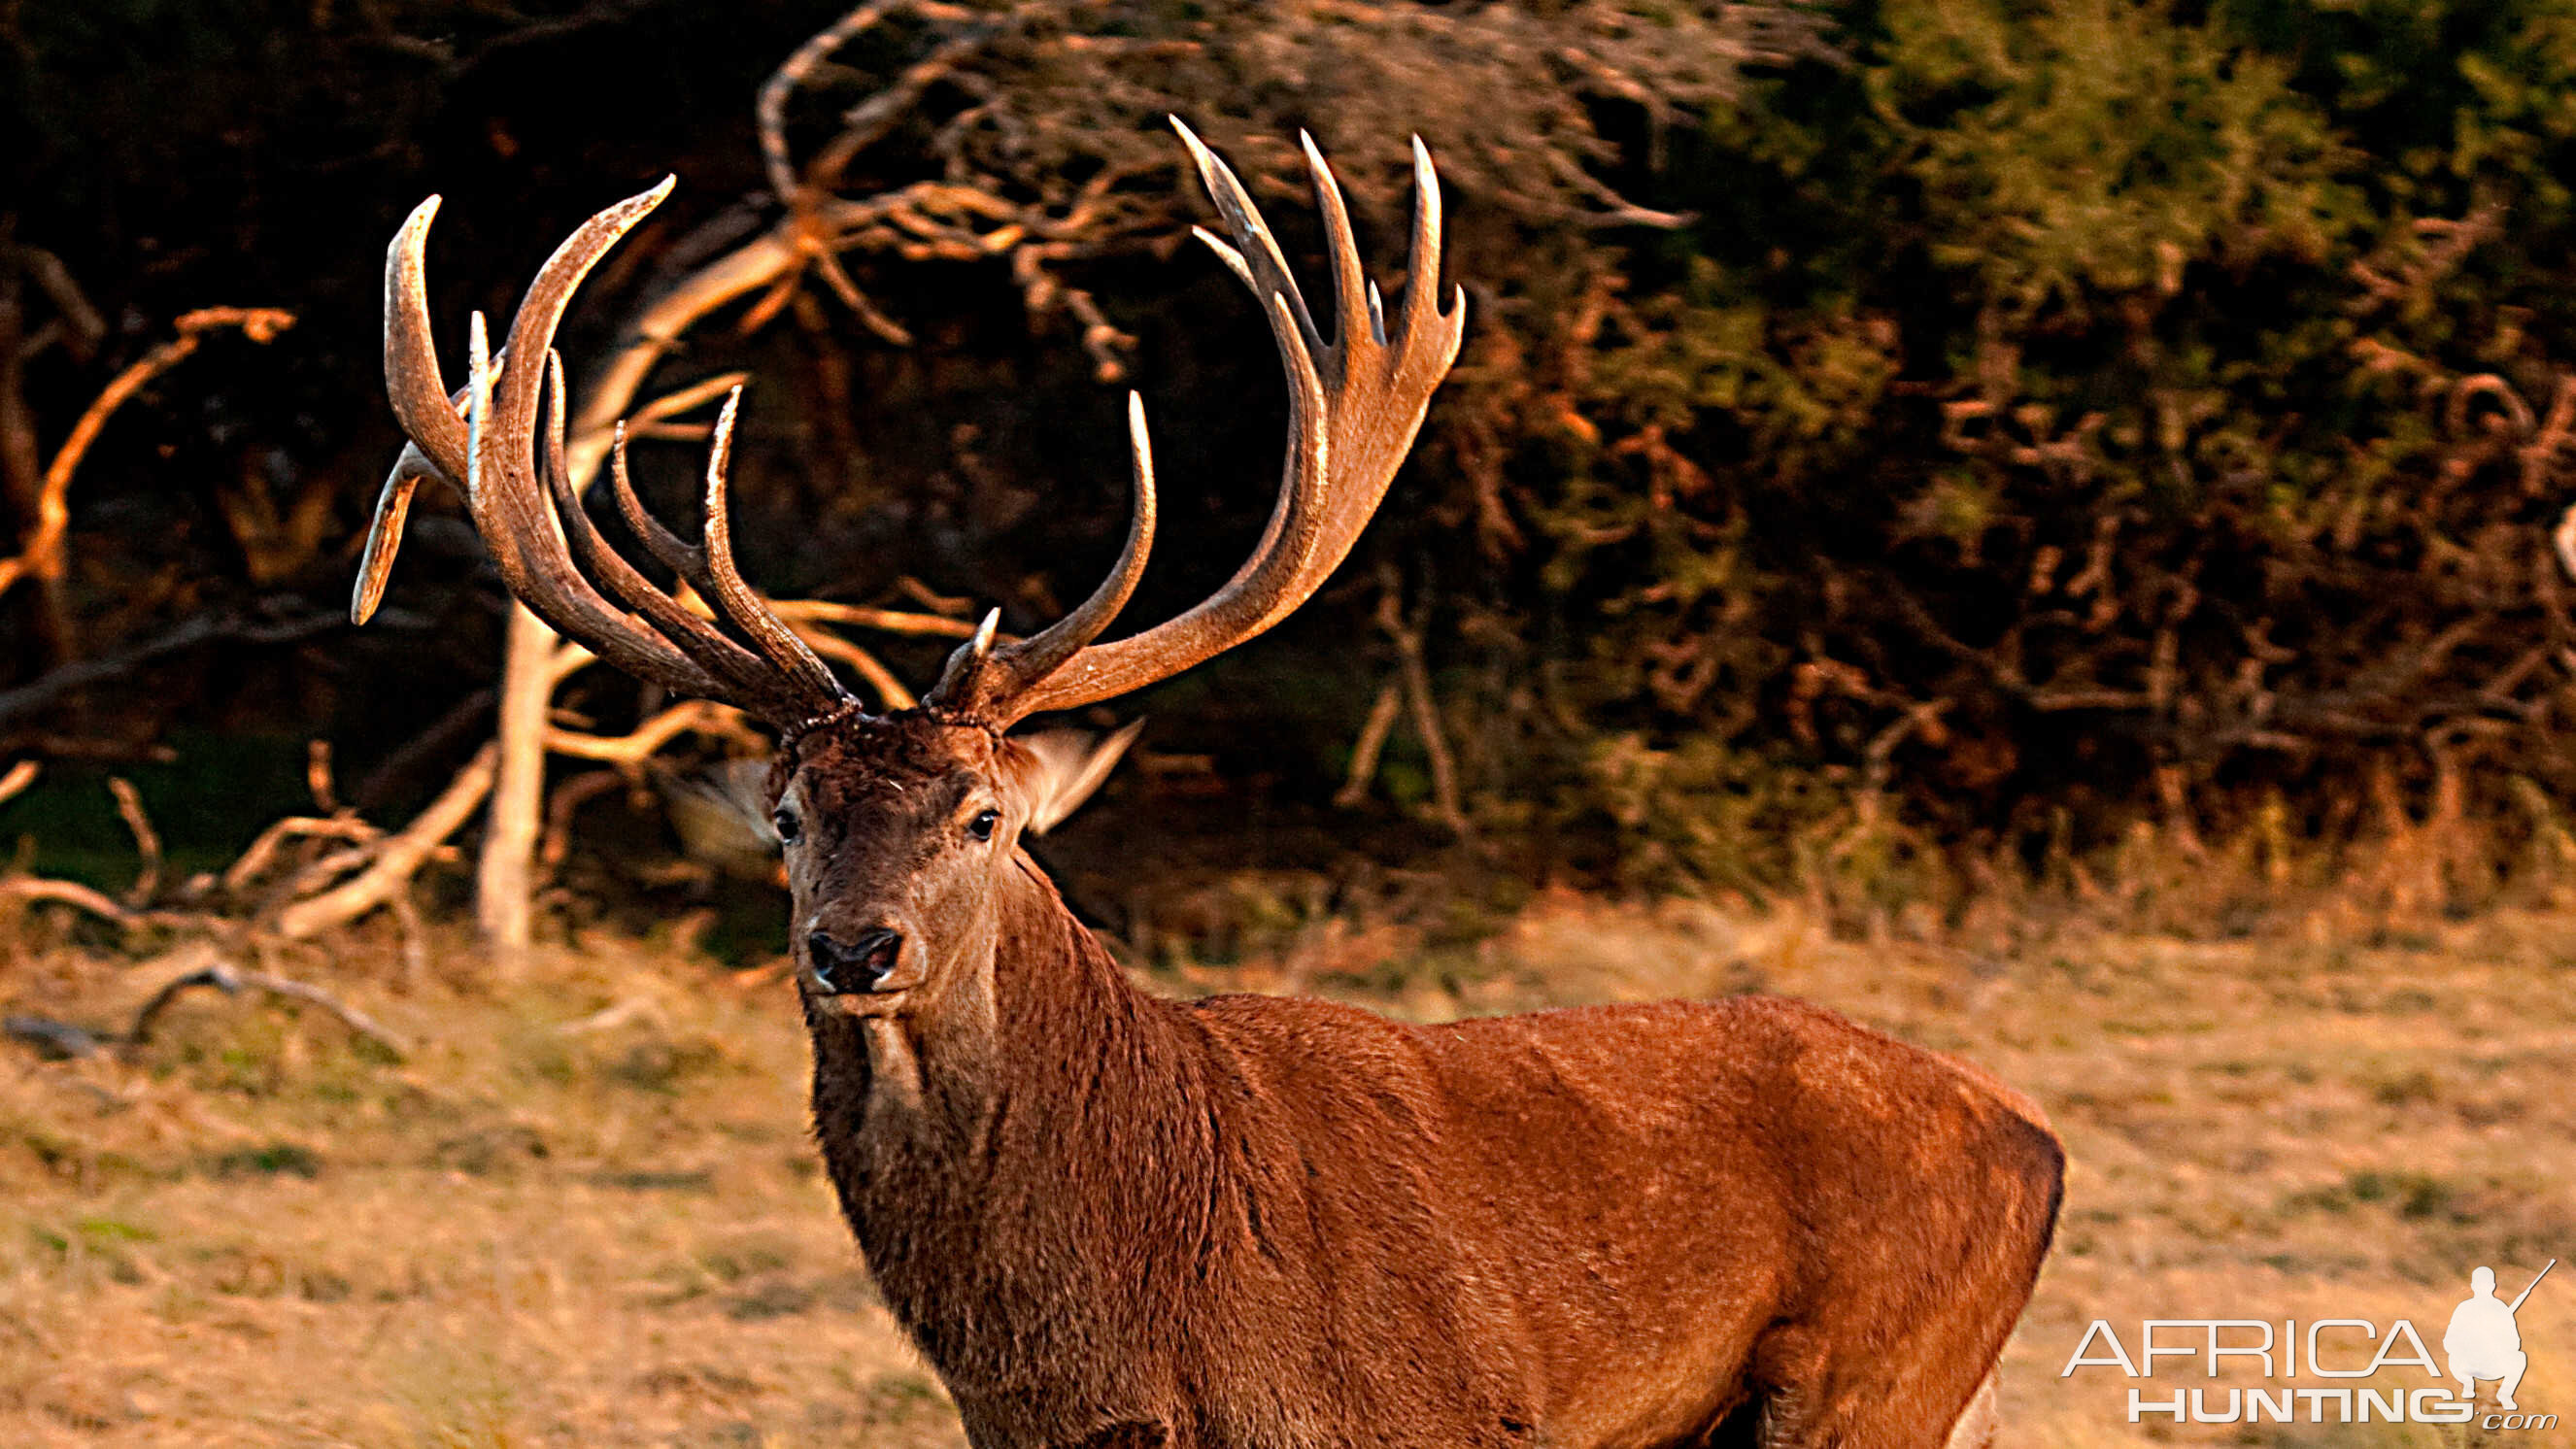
(1045, 125)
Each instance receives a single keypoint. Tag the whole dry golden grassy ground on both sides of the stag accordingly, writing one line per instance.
(583, 1208)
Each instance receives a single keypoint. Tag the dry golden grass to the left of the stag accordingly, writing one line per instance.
(527, 1234)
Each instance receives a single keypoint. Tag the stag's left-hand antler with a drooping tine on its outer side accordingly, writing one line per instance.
(486, 444)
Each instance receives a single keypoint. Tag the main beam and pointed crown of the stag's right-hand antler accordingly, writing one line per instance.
(1354, 411)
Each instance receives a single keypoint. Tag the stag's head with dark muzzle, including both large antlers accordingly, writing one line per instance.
(903, 827)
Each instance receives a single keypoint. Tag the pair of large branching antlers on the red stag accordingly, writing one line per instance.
(1354, 411)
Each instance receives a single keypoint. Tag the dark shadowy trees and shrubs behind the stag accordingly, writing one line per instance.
(1905, 454)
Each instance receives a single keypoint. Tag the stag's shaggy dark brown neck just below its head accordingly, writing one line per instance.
(1006, 1162)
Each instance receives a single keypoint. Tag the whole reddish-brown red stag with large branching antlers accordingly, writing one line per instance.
(1112, 1219)
